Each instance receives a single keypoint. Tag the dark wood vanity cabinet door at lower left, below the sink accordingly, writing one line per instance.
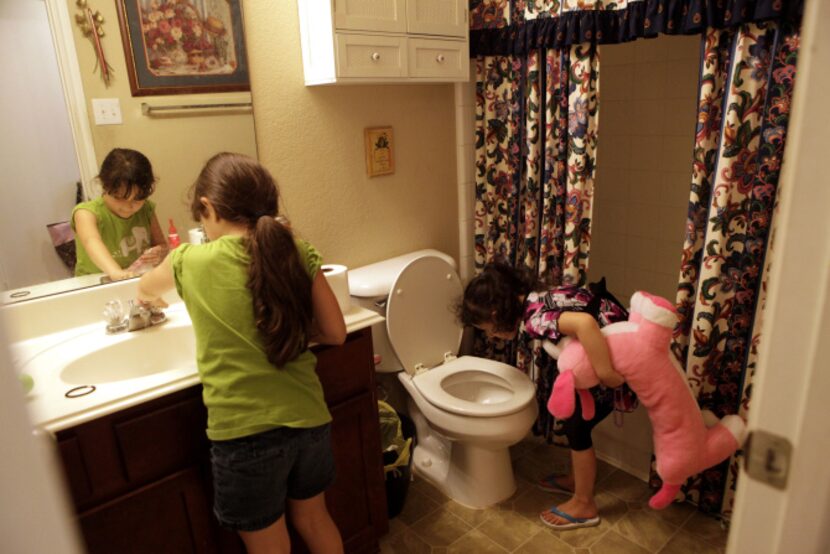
(171, 515)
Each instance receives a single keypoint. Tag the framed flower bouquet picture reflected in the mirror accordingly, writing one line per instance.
(183, 46)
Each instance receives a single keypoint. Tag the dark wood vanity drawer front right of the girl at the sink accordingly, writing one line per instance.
(346, 370)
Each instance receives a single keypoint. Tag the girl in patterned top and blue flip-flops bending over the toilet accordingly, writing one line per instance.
(501, 301)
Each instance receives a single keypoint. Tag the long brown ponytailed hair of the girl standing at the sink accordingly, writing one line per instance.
(242, 191)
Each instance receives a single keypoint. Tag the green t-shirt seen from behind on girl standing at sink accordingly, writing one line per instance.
(243, 392)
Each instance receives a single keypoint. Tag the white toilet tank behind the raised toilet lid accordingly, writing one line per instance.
(369, 287)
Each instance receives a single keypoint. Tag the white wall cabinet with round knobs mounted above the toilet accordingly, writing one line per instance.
(384, 41)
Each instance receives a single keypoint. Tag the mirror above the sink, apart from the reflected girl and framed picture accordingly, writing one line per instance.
(51, 145)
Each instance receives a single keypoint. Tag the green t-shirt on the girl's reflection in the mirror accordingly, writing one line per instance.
(125, 239)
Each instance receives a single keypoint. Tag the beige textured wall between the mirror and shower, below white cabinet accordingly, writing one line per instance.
(311, 138)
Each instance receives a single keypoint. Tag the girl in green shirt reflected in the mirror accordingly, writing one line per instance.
(118, 233)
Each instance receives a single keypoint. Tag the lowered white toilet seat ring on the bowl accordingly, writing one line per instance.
(498, 389)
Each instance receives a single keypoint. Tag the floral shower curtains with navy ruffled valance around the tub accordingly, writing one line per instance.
(537, 82)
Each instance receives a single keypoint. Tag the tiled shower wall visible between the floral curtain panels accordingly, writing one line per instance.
(648, 92)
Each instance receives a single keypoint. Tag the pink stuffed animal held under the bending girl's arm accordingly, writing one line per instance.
(686, 440)
